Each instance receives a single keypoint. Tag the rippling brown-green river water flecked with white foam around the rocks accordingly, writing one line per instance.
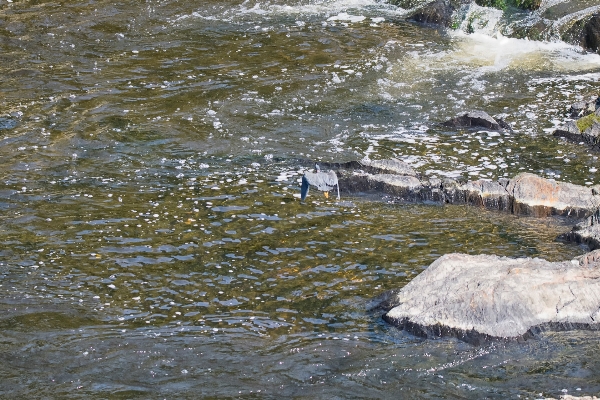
(153, 242)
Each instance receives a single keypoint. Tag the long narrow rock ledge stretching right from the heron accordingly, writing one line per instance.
(525, 194)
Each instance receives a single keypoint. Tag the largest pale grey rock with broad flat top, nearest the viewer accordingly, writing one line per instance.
(477, 298)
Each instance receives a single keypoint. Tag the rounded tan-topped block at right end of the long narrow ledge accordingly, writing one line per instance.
(537, 196)
